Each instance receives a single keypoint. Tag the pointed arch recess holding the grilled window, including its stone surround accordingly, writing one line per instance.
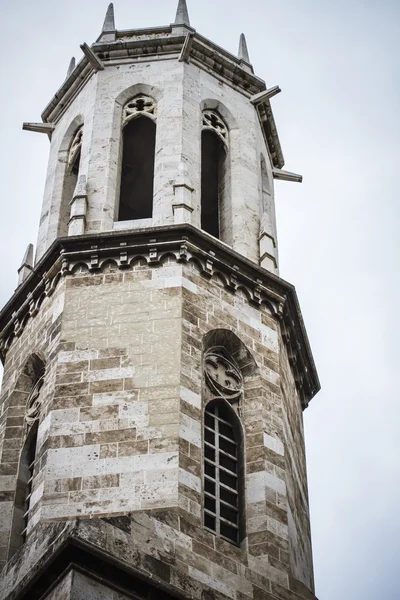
(228, 368)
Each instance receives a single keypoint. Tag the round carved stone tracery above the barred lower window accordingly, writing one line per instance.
(222, 377)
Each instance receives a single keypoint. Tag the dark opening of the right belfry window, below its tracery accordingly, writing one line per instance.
(212, 176)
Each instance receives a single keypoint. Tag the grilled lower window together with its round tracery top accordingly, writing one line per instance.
(223, 446)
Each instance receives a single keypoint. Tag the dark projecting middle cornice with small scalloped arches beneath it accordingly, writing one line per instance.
(186, 243)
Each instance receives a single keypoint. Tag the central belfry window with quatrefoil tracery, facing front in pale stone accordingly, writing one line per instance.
(138, 155)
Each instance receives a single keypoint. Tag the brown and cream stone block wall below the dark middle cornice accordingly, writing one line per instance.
(121, 433)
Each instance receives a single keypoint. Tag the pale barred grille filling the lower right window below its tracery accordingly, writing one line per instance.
(221, 473)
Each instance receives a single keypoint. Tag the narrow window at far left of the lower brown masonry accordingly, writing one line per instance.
(28, 459)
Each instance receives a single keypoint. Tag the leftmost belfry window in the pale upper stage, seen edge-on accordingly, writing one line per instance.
(70, 180)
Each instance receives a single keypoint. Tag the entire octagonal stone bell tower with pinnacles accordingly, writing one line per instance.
(155, 364)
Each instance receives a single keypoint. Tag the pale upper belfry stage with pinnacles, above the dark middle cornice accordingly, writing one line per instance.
(160, 126)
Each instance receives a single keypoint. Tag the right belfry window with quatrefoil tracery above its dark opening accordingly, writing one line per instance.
(214, 174)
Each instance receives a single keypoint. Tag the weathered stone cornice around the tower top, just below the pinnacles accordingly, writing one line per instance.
(157, 44)
